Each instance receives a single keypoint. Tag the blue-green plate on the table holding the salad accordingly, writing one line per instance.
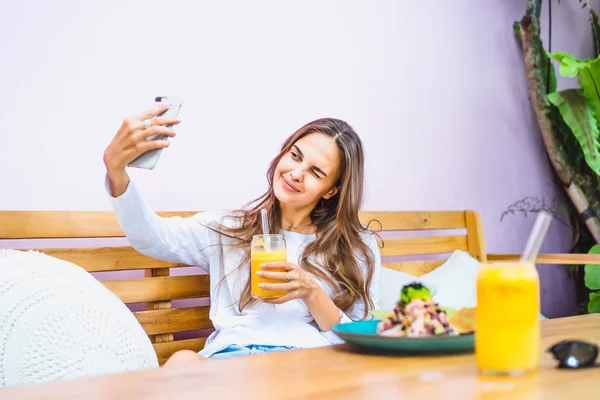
(363, 334)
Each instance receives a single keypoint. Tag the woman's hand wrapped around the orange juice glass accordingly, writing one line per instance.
(298, 283)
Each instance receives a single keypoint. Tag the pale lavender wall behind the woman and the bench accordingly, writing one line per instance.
(436, 90)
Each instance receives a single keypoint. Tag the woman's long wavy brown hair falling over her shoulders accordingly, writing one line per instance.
(338, 240)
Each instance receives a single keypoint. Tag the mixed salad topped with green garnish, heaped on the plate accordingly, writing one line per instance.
(416, 315)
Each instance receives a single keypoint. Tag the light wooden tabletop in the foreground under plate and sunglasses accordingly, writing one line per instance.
(338, 373)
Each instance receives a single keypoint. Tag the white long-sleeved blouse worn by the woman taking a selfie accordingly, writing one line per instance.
(189, 241)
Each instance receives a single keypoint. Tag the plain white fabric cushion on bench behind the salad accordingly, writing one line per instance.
(453, 282)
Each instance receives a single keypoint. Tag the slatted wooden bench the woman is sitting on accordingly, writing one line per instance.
(416, 235)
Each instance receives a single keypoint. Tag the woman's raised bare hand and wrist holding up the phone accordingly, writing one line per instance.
(131, 140)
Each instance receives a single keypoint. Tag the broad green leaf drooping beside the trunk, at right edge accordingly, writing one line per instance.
(579, 117)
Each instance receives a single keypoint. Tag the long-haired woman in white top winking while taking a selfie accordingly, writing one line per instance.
(315, 191)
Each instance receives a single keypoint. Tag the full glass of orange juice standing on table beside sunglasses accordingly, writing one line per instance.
(507, 324)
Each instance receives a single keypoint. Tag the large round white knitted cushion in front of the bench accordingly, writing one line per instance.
(58, 322)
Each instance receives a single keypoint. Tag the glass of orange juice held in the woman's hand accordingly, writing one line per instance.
(264, 249)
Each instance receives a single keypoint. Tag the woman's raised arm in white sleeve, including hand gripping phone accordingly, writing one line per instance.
(179, 240)
